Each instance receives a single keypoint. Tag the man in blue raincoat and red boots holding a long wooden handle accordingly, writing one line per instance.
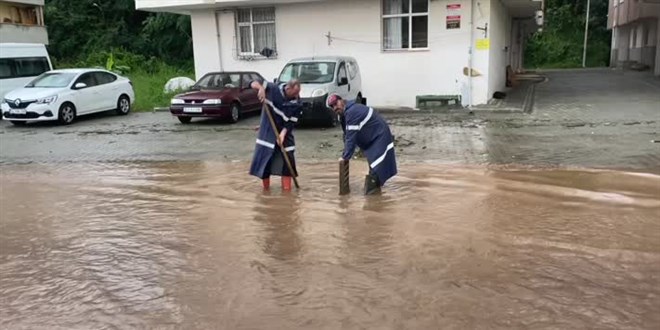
(285, 106)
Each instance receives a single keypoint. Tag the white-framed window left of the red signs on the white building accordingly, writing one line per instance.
(405, 24)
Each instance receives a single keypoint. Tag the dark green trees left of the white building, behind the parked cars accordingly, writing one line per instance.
(80, 28)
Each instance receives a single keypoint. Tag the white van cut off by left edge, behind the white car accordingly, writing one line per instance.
(20, 64)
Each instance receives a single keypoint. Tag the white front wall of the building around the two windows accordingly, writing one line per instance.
(389, 78)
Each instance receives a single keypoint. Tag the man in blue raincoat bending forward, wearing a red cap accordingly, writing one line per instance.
(365, 128)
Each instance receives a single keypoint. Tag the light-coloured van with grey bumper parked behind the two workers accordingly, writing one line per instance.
(320, 77)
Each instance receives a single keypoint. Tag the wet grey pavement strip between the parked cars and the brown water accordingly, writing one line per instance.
(583, 118)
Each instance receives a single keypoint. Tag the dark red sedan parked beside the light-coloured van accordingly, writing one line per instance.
(225, 95)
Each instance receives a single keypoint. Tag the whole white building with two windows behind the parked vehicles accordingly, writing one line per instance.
(404, 48)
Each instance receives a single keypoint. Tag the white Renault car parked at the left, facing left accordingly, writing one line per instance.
(63, 95)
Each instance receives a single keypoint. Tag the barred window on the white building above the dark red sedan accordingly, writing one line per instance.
(256, 30)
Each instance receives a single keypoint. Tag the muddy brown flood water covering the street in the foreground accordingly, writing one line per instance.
(197, 245)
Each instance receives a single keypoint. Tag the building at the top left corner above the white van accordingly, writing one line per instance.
(22, 21)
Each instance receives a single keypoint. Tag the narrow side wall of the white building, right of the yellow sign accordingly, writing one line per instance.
(500, 42)
